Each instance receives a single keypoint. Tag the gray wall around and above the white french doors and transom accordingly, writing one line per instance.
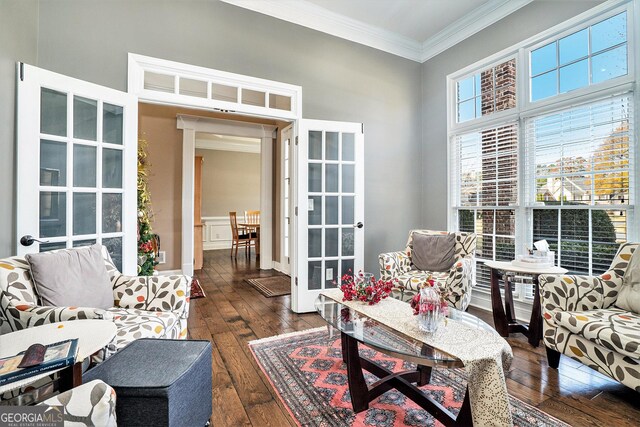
(340, 80)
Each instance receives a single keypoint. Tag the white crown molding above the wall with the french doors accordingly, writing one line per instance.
(317, 18)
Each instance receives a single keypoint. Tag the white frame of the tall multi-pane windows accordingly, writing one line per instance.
(525, 108)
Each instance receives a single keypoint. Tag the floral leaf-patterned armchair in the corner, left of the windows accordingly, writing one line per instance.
(458, 280)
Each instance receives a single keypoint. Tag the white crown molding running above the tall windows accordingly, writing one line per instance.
(470, 24)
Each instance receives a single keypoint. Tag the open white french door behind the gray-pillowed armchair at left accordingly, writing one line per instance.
(76, 166)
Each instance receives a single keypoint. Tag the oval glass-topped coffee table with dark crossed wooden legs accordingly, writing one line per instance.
(356, 328)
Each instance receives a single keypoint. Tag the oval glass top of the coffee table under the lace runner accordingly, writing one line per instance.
(388, 340)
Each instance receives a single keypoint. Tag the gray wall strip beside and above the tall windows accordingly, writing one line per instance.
(526, 22)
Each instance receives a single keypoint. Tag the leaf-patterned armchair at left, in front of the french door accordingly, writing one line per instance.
(143, 307)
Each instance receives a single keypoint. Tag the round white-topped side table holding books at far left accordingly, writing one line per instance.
(93, 335)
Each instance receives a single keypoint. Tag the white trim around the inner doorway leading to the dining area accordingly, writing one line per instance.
(266, 133)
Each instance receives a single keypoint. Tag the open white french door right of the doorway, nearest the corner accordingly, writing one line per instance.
(329, 188)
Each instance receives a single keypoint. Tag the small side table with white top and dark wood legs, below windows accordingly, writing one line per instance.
(504, 317)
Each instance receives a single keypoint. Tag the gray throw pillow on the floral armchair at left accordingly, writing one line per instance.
(72, 278)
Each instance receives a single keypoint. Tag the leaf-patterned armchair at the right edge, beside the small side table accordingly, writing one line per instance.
(580, 320)
